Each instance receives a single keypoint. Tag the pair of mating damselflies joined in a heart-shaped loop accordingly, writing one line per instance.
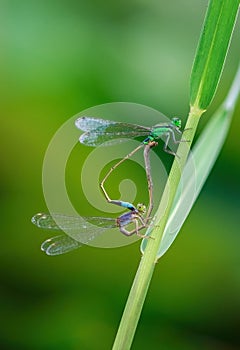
(105, 132)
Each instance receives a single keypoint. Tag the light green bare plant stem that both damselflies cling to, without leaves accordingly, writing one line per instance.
(147, 264)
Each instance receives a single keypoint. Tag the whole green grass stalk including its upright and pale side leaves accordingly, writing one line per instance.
(205, 76)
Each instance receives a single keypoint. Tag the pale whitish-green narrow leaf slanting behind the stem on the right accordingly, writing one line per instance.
(198, 166)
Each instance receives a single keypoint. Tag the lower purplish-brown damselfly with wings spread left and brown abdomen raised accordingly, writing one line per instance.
(85, 229)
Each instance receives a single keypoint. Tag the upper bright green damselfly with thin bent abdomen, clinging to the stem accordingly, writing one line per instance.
(100, 131)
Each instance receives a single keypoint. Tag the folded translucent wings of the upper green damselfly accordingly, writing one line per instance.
(98, 131)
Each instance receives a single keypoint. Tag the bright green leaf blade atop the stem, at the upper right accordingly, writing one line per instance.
(212, 50)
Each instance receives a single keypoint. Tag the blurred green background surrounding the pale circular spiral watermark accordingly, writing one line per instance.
(58, 58)
